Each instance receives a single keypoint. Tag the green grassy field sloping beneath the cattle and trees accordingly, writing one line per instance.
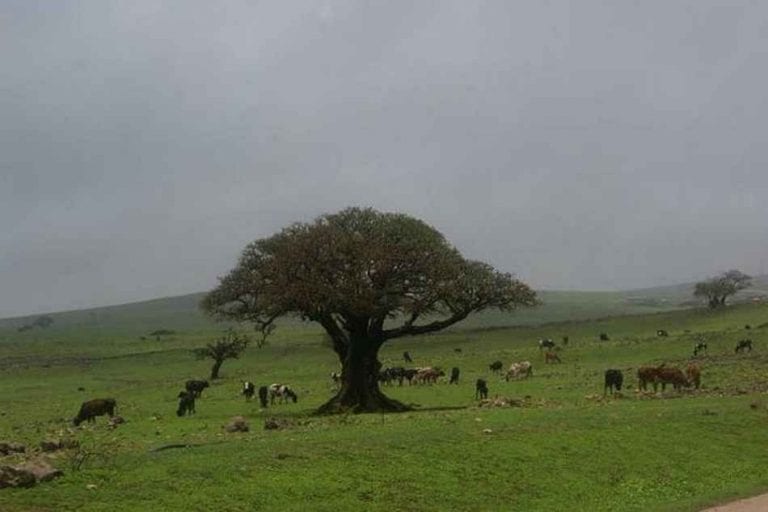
(565, 447)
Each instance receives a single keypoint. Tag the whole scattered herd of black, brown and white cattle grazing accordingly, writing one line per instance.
(613, 379)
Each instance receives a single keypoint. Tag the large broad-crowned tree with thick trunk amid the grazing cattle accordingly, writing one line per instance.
(366, 277)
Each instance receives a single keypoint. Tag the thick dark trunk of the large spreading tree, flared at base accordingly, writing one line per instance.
(360, 385)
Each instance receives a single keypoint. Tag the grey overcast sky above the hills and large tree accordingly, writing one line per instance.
(588, 145)
